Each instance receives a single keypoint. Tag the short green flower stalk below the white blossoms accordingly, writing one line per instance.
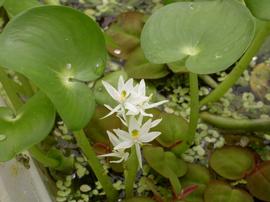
(130, 172)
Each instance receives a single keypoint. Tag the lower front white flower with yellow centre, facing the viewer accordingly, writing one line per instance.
(137, 135)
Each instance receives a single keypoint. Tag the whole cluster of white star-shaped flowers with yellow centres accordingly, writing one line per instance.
(131, 110)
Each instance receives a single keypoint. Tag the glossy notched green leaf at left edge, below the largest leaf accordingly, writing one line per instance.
(29, 126)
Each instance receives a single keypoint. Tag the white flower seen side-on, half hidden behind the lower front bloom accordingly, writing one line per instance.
(120, 153)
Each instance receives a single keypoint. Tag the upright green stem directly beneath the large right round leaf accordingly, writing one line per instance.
(194, 105)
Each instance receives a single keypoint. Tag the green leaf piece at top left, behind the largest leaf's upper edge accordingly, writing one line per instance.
(14, 7)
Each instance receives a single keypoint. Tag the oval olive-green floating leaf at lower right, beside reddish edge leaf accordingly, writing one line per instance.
(232, 162)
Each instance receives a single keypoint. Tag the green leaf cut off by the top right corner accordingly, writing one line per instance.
(259, 9)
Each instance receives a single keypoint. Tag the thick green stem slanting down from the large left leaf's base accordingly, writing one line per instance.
(93, 161)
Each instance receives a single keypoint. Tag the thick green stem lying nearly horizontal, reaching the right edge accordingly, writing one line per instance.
(250, 125)
